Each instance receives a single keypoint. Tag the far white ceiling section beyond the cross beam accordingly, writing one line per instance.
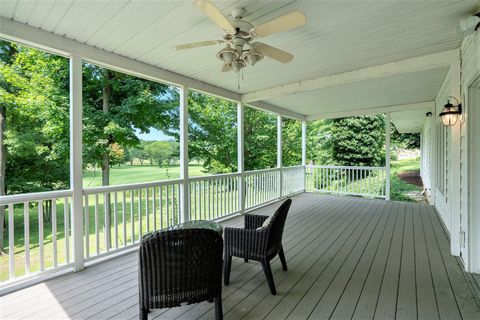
(394, 90)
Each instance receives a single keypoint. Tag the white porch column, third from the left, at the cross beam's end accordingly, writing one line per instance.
(241, 155)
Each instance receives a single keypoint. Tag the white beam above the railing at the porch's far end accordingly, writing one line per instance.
(427, 106)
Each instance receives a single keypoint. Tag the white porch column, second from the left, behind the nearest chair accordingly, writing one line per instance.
(184, 186)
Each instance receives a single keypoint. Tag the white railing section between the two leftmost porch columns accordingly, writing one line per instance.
(116, 217)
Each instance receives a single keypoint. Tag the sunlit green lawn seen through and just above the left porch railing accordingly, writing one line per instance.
(125, 174)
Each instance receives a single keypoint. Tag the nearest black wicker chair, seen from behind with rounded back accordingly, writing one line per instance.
(180, 267)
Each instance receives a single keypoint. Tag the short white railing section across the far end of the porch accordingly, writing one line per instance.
(361, 181)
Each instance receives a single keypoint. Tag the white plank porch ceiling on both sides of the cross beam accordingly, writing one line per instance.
(339, 36)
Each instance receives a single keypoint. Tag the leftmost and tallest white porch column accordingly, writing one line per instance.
(76, 175)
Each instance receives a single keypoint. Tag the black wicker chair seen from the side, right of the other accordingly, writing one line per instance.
(257, 243)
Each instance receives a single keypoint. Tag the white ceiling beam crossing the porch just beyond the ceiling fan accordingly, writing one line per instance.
(422, 63)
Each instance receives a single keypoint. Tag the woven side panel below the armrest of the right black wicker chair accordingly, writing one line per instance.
(245, 243)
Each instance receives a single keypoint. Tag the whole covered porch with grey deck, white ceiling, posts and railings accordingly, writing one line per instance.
(351, 252)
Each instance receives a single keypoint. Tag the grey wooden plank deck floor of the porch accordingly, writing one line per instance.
(347, 258)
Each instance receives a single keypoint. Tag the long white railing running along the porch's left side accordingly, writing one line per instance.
(116, 217)
